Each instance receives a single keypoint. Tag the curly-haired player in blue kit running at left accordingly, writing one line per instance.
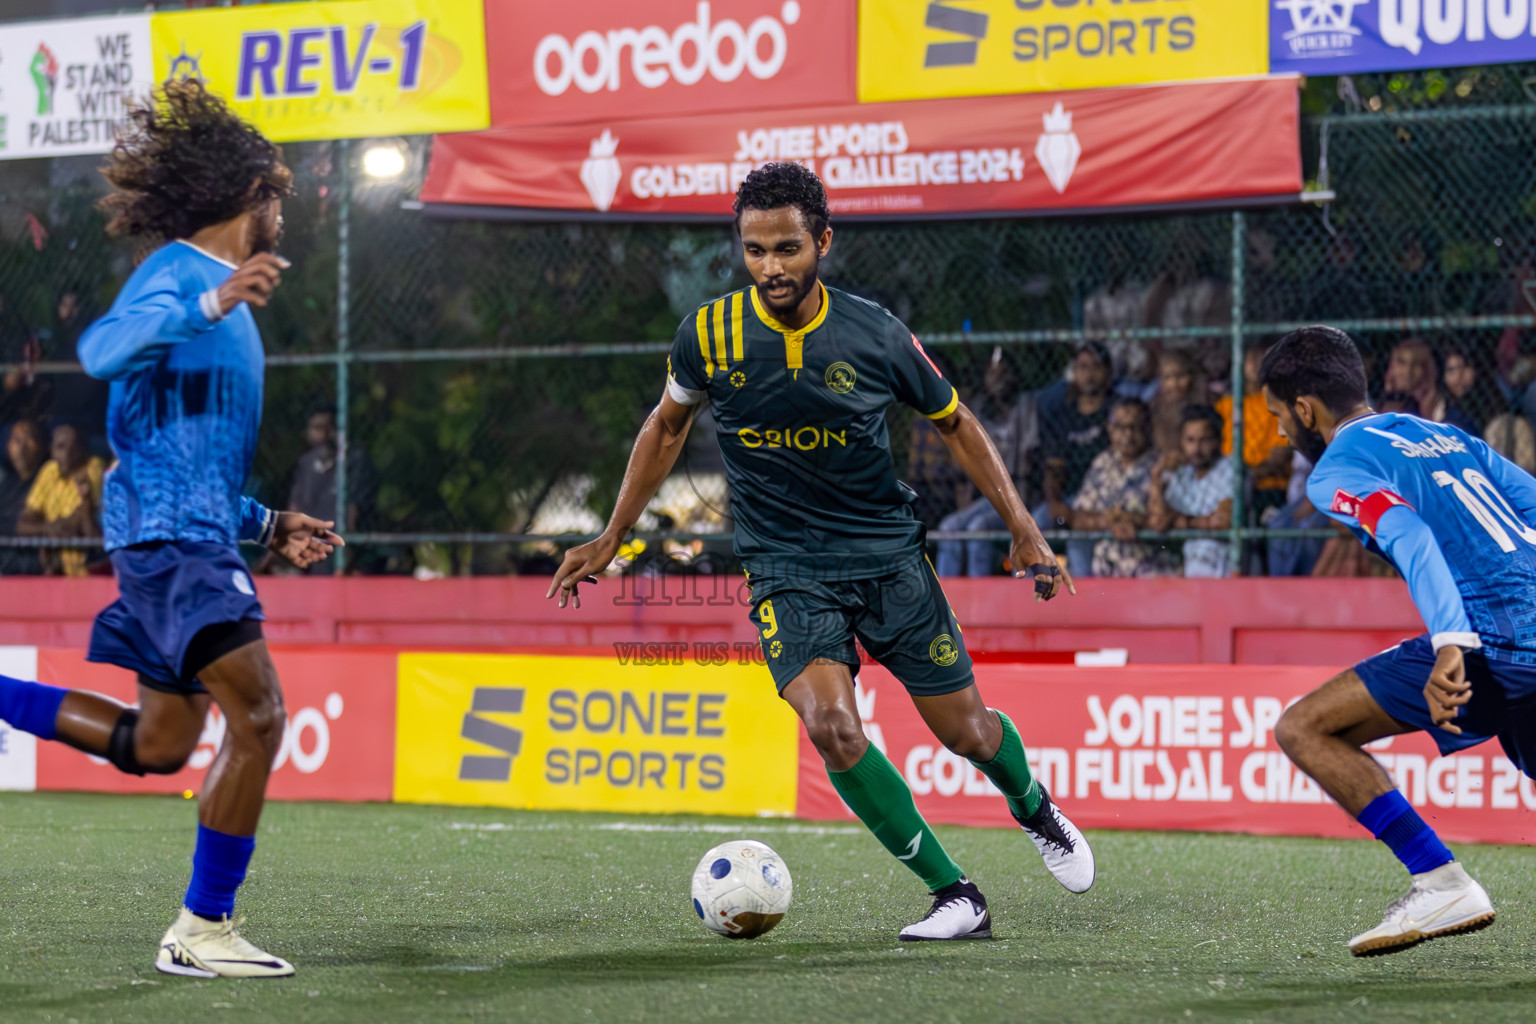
(204, 191)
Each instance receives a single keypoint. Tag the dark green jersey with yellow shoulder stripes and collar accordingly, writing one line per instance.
(801, 421)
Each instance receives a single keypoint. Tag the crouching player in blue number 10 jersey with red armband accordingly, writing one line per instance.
(1458, 521)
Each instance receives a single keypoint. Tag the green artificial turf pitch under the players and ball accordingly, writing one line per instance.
(440, 914)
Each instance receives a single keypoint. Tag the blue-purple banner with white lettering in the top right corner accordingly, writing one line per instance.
(1345, 38)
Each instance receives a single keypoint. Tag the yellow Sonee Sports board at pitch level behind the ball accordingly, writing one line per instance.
(594, 735)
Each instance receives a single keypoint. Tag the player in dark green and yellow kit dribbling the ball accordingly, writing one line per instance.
(799, 378)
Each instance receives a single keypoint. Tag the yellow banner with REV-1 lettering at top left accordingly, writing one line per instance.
(339, 70)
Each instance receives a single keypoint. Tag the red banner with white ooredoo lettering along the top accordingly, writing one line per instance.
(561, 64)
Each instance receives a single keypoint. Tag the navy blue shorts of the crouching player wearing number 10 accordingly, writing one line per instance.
(1503, 699)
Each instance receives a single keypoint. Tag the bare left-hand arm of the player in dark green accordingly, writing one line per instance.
(655, 455)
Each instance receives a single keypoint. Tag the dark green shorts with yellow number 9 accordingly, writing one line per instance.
(902, 619)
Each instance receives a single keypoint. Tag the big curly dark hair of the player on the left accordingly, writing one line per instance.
(188, 162)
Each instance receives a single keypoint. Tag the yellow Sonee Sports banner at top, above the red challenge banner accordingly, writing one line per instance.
(922, 50)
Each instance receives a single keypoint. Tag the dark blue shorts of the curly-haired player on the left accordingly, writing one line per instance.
(170, 592)
